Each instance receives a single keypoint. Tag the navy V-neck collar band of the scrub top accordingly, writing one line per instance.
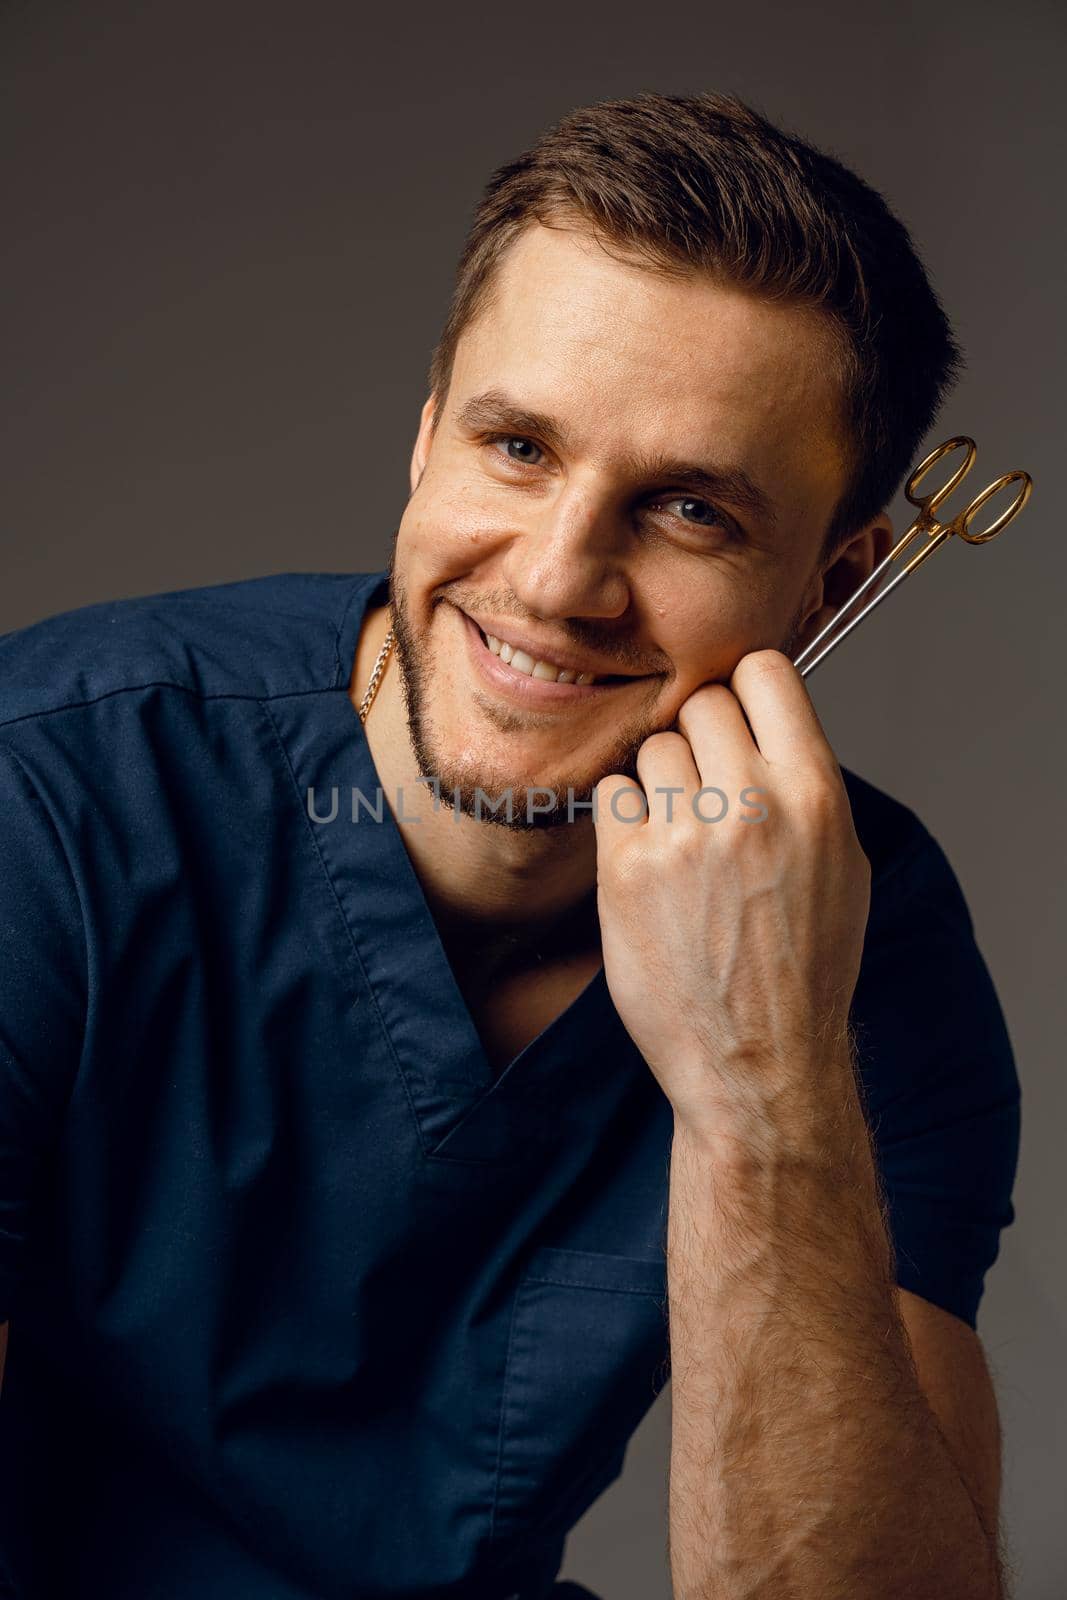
(402, 956)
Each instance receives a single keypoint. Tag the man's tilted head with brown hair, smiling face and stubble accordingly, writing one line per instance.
(687, 364)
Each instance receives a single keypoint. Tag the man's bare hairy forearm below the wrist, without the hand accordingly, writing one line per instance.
(805, 1458)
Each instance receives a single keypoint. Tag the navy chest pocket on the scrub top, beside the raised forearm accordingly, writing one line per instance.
(588, 1354)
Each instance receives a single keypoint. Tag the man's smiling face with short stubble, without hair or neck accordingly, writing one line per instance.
(554, 502)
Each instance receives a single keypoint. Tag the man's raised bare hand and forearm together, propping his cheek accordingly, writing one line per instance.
(805, 1458)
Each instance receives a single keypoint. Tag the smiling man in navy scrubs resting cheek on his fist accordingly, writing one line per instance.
(382, 1126)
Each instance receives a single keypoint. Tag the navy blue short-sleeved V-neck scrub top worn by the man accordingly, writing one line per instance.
(306, 1303)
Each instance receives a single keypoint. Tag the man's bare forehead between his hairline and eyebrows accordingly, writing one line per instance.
(676, 362)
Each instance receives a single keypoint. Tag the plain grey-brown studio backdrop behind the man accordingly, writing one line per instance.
(230, 238)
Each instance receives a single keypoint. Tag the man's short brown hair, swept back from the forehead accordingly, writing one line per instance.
(703, 183)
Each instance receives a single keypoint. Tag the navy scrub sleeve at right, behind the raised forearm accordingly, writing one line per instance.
(940, 1079)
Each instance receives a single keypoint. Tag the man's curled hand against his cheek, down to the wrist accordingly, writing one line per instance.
(732, 948)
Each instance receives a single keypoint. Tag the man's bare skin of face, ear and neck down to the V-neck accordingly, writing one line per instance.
(540, 521)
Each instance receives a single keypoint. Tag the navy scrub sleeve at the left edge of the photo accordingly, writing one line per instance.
(42, 1004)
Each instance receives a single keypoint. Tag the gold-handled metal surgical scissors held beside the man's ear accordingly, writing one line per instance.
(937, 534)
